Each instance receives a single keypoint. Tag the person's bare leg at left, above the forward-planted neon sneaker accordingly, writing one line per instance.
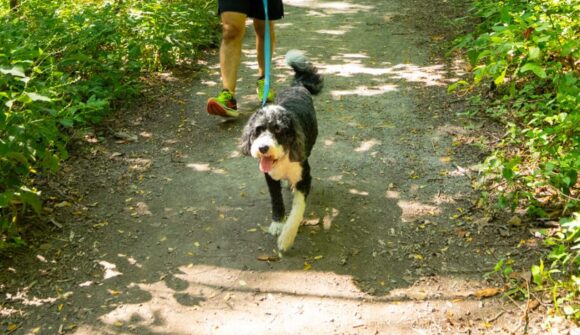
(234, 28)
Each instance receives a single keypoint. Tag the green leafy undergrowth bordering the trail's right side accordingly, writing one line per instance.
(528, 53)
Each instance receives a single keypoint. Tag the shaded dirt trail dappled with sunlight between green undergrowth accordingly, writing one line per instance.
(168, 237)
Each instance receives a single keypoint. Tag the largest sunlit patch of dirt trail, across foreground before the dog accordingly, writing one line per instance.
(274, 302)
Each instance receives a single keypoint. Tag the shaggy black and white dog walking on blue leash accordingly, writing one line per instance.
(281, 137)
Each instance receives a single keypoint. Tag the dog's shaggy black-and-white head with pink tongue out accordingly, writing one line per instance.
(272, 133)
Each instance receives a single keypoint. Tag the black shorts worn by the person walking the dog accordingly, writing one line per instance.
(253, 8)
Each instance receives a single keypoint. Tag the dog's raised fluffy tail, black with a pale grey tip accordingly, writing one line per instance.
(305, 73)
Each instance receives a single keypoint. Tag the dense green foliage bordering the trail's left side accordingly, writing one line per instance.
(62, 64)
